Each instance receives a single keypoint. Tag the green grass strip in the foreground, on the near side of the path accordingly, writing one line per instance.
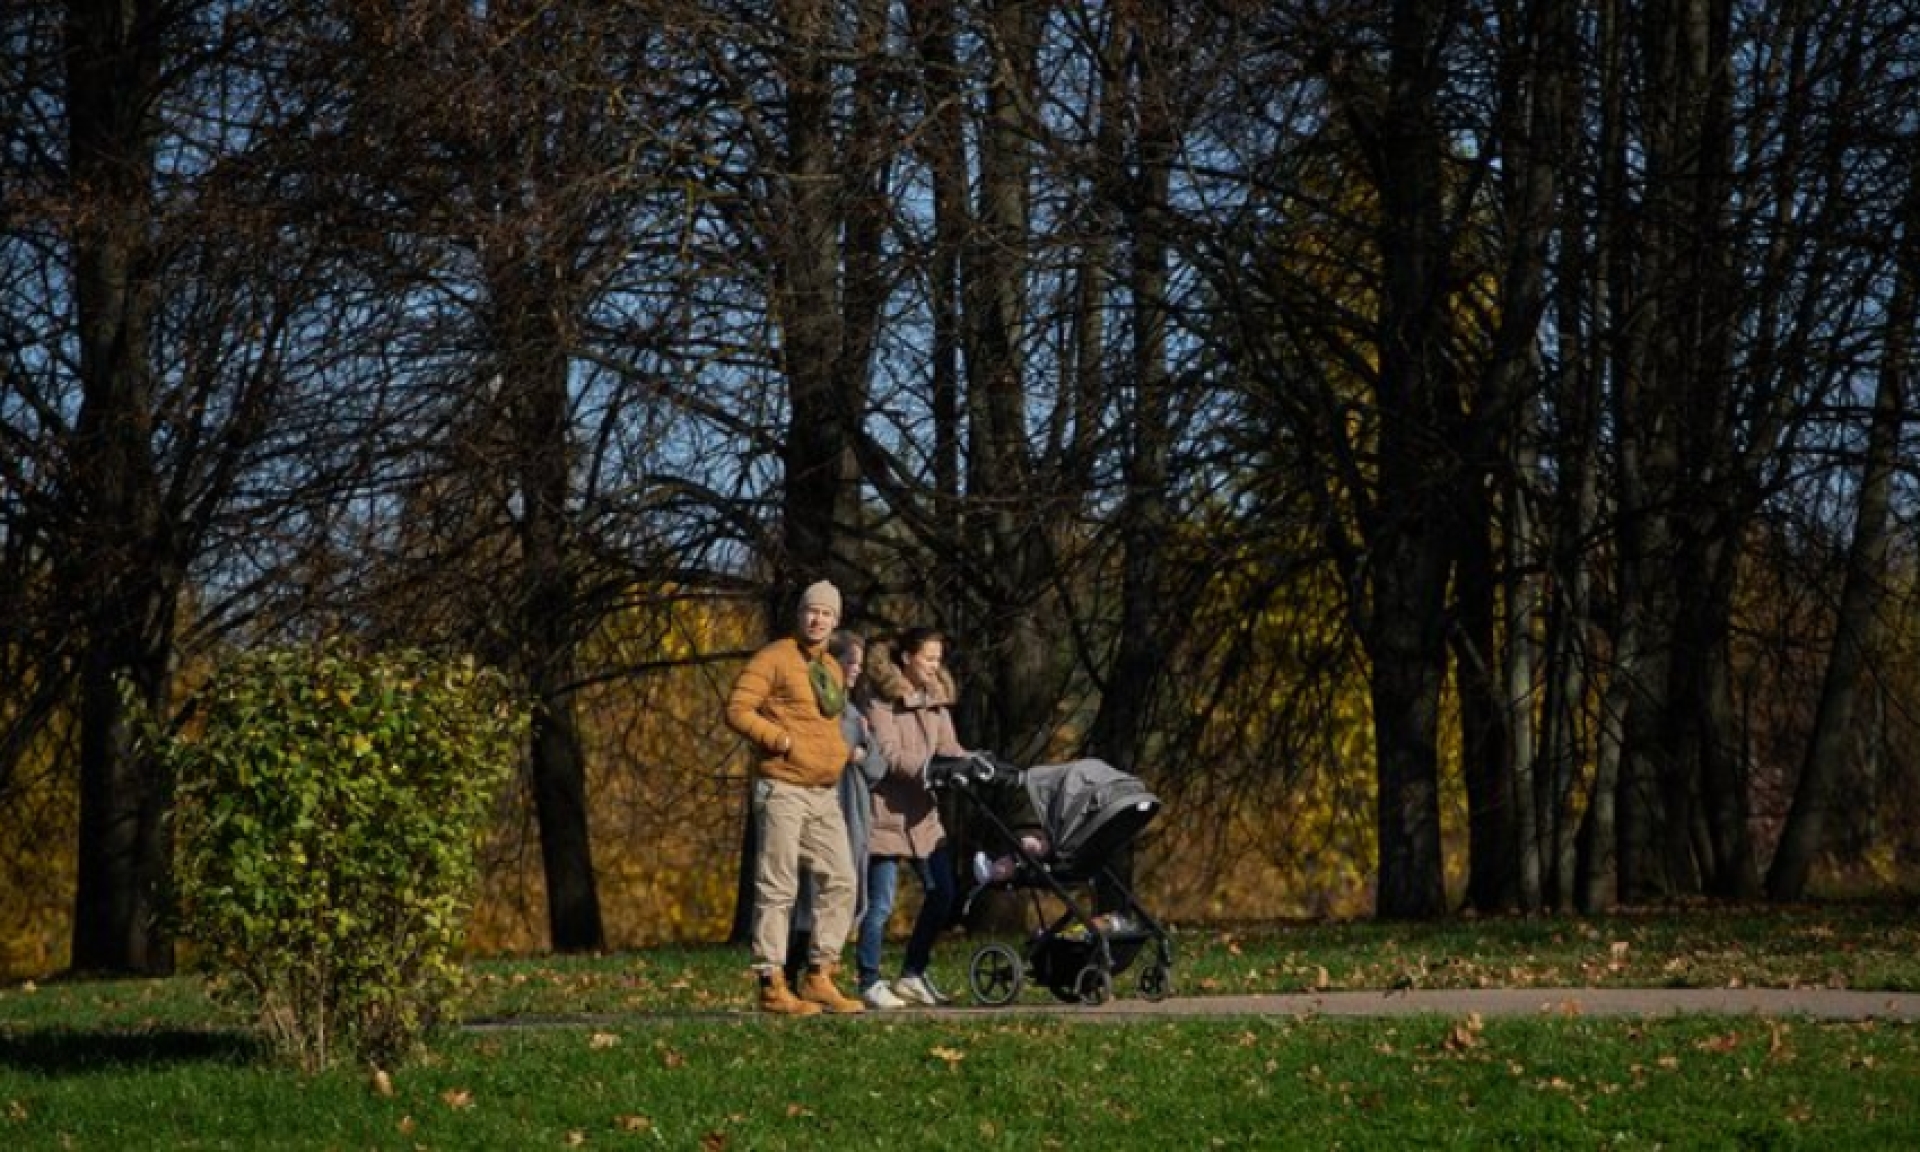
(1001, 1084)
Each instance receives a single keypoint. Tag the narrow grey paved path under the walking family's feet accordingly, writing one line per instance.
(1456, 1003)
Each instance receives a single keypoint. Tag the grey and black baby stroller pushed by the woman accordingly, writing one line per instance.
(1086, 811)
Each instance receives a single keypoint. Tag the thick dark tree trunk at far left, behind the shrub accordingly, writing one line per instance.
(120, 565)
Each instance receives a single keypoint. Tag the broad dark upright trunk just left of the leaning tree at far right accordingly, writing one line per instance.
(1677, 441)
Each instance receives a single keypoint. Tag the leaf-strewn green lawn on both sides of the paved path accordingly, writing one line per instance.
(149, 1065)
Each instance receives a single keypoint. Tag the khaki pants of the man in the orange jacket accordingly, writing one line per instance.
(802, 828)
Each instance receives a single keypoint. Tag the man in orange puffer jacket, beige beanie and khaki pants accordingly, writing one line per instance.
(788, 702)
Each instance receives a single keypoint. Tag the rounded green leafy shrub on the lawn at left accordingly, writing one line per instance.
(329, 817)
